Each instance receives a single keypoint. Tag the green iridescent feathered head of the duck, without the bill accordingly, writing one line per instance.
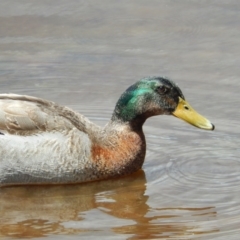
(146, 98)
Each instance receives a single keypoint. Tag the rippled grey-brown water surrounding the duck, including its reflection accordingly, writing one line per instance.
(84, 54)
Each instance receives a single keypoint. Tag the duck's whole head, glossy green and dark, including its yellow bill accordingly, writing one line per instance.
(155, 96)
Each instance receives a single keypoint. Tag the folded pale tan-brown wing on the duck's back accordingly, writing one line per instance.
(26, 115)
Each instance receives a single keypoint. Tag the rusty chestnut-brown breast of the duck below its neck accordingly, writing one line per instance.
(119, 154)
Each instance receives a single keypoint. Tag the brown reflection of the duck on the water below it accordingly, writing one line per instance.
(119, 205)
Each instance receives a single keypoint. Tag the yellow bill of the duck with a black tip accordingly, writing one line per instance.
(185, 112)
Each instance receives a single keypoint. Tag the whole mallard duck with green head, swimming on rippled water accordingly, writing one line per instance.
(42, 142)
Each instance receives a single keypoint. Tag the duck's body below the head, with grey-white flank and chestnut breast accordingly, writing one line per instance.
(51, 144)
